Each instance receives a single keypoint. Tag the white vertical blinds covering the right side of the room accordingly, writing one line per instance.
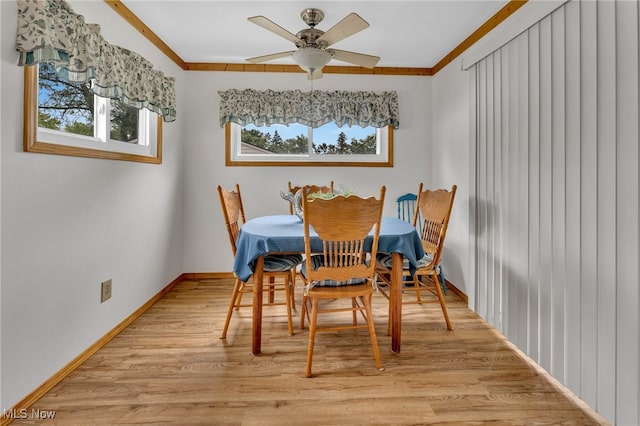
(557, 239)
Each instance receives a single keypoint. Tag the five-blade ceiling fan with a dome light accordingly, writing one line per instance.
(313, 44)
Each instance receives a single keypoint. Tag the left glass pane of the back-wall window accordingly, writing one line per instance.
(274, 139)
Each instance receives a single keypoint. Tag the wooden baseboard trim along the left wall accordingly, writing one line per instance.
(39, 392)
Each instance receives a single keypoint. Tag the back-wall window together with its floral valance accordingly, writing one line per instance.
(316, 128)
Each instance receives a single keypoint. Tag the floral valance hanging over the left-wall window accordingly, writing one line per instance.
(49, 31)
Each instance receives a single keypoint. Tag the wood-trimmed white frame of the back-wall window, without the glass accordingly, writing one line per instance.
(383, 158)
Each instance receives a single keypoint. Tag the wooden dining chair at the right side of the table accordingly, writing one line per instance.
(434, 207)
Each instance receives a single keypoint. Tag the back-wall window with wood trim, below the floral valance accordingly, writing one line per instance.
(300, 145)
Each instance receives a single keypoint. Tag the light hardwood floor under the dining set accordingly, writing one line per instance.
(170, 367)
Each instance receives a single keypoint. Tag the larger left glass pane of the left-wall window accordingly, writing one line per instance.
(62, 105)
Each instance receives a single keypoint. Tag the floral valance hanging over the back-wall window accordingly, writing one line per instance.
(312, 109)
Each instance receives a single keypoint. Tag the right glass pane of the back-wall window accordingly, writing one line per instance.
(331, 139)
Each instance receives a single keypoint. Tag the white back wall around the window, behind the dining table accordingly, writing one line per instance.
(206, 241)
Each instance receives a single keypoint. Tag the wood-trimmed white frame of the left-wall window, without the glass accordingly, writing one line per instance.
(50, 141)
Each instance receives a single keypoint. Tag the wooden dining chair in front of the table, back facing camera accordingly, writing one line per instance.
(339, 266)
